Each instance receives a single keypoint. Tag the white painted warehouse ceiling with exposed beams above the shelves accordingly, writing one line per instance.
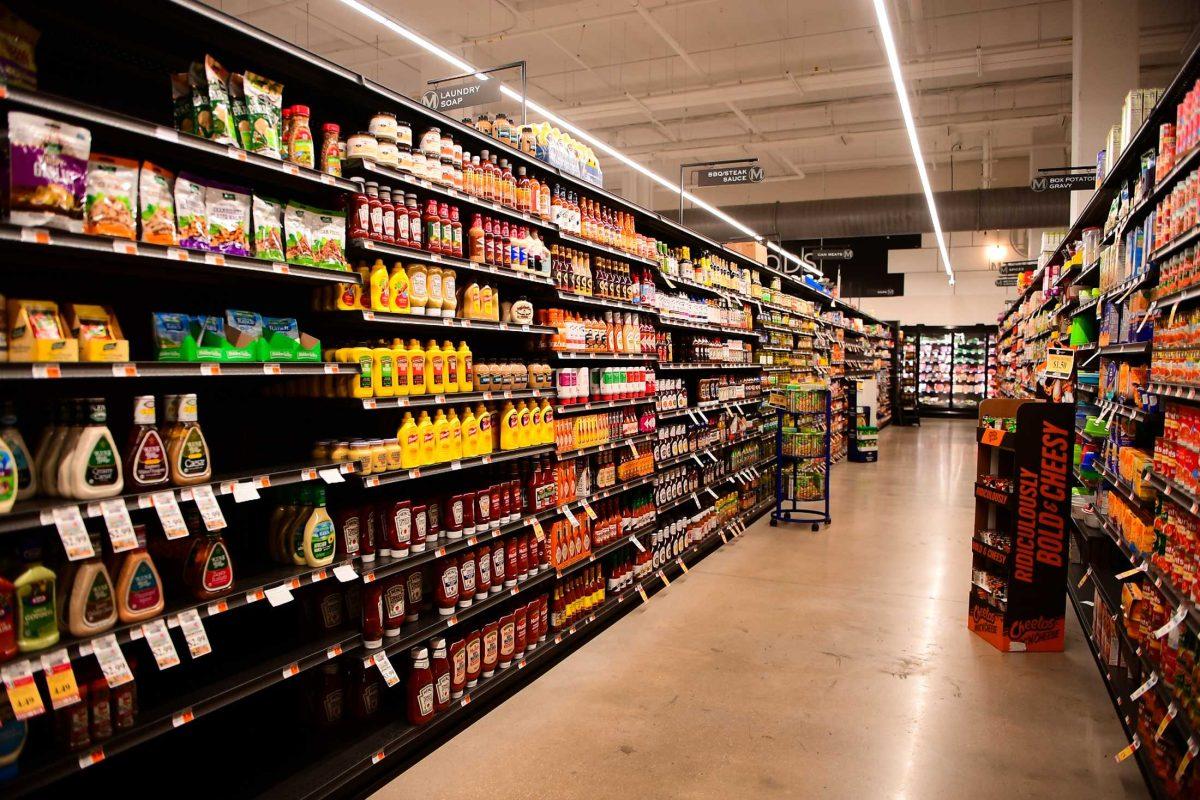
(801, 85)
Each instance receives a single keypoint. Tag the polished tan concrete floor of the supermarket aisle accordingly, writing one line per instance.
(799, 665)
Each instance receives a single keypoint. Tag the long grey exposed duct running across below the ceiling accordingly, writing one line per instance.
(1003, 209)
